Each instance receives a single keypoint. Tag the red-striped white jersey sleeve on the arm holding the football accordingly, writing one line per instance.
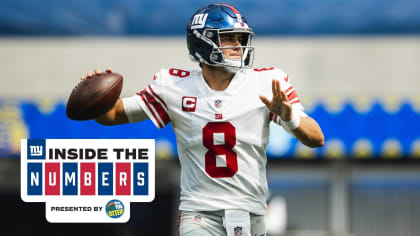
(152, 100)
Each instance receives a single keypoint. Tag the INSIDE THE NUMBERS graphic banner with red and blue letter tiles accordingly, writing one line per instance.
(87, 180)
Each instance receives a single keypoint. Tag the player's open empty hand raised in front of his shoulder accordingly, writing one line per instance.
(280, 104)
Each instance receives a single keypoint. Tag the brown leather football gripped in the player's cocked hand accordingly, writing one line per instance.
(94, 96)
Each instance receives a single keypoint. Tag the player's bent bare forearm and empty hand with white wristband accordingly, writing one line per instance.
(305, 129)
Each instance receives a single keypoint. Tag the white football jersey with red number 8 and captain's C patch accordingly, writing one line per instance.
(222, 136)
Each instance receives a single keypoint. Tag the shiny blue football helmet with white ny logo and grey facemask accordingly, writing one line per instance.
(203, 37)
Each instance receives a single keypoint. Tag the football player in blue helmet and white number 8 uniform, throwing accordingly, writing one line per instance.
(221, 116)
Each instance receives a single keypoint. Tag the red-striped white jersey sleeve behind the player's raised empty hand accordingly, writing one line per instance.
(293, 97)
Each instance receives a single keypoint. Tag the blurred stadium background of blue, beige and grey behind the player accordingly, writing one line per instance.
(354, 64)
